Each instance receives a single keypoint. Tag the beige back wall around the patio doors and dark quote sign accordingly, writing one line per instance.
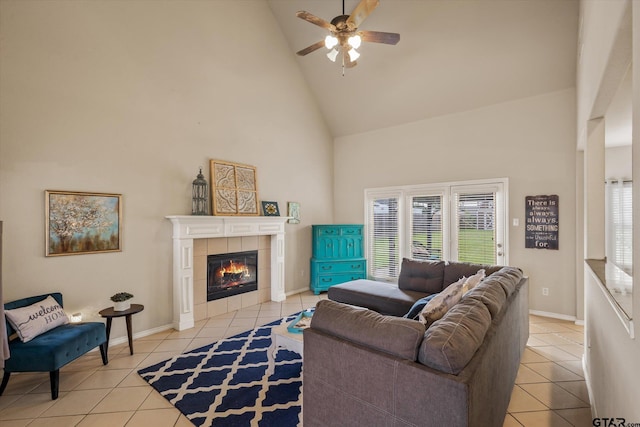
(530, 141)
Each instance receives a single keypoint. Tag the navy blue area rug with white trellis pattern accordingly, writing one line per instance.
(227, 384)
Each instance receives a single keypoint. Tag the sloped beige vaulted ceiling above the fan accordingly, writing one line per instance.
(453, 55)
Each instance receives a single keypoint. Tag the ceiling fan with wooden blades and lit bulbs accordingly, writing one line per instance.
(344, 35)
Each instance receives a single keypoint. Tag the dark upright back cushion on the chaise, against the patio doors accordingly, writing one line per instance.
(421, 276)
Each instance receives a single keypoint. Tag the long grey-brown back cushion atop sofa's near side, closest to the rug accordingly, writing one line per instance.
(393, 335)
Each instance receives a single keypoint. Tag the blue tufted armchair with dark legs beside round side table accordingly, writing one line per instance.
(53, 349)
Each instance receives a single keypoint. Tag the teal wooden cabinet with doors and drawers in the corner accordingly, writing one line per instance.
(337, 255)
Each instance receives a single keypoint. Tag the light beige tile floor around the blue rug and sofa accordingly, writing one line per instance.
(550, 388)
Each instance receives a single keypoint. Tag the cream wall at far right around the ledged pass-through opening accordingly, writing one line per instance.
(611, 355)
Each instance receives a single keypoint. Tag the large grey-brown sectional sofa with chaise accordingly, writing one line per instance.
(364, 368)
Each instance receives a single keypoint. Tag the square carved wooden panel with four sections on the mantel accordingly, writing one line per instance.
(233, 188)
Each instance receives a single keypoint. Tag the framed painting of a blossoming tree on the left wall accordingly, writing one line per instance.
(82, 223)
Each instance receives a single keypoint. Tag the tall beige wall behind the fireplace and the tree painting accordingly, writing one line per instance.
(131, 98)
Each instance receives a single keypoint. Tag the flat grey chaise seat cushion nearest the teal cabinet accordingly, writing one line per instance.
(385, 298)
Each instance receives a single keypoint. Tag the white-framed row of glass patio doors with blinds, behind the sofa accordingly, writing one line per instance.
(451, 221)
